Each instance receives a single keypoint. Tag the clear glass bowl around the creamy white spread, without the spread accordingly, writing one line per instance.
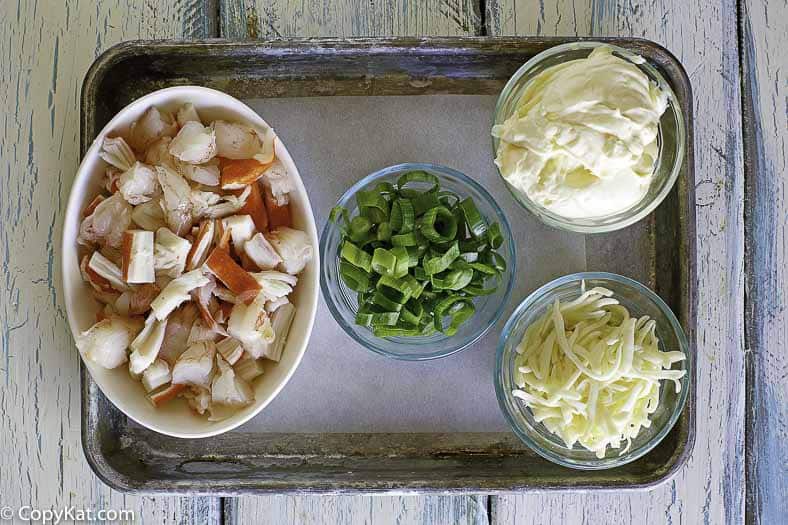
(671, 139)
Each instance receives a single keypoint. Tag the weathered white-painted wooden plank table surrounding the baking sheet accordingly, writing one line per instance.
(735, 53)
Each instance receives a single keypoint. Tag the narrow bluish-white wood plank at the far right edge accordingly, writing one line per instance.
(765, 39)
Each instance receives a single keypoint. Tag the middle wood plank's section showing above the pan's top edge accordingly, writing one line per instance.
(283, 18)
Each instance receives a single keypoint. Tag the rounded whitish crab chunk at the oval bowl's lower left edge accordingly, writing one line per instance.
(106, 342)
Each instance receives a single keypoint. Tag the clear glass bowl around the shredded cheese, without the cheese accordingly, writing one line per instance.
(639, 300)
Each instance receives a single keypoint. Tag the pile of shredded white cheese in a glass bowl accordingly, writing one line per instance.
(591, 373)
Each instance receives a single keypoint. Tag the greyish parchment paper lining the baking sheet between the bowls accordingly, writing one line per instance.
(340, 386)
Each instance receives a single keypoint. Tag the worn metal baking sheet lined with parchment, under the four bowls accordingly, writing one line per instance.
(350, 421)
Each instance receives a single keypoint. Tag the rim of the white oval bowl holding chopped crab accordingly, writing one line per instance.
(71, 295)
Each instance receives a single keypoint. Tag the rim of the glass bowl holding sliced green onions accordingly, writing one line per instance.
(329, 227)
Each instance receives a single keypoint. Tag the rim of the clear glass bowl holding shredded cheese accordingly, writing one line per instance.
(606, 462)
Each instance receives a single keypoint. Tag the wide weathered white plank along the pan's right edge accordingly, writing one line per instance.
(703, 35)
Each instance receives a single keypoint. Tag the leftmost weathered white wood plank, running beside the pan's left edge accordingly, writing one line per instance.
(45, 49)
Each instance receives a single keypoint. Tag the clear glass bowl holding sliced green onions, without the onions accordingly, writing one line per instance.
(343, 302)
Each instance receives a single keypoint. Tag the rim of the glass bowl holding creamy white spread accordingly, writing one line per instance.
(555, 220)
